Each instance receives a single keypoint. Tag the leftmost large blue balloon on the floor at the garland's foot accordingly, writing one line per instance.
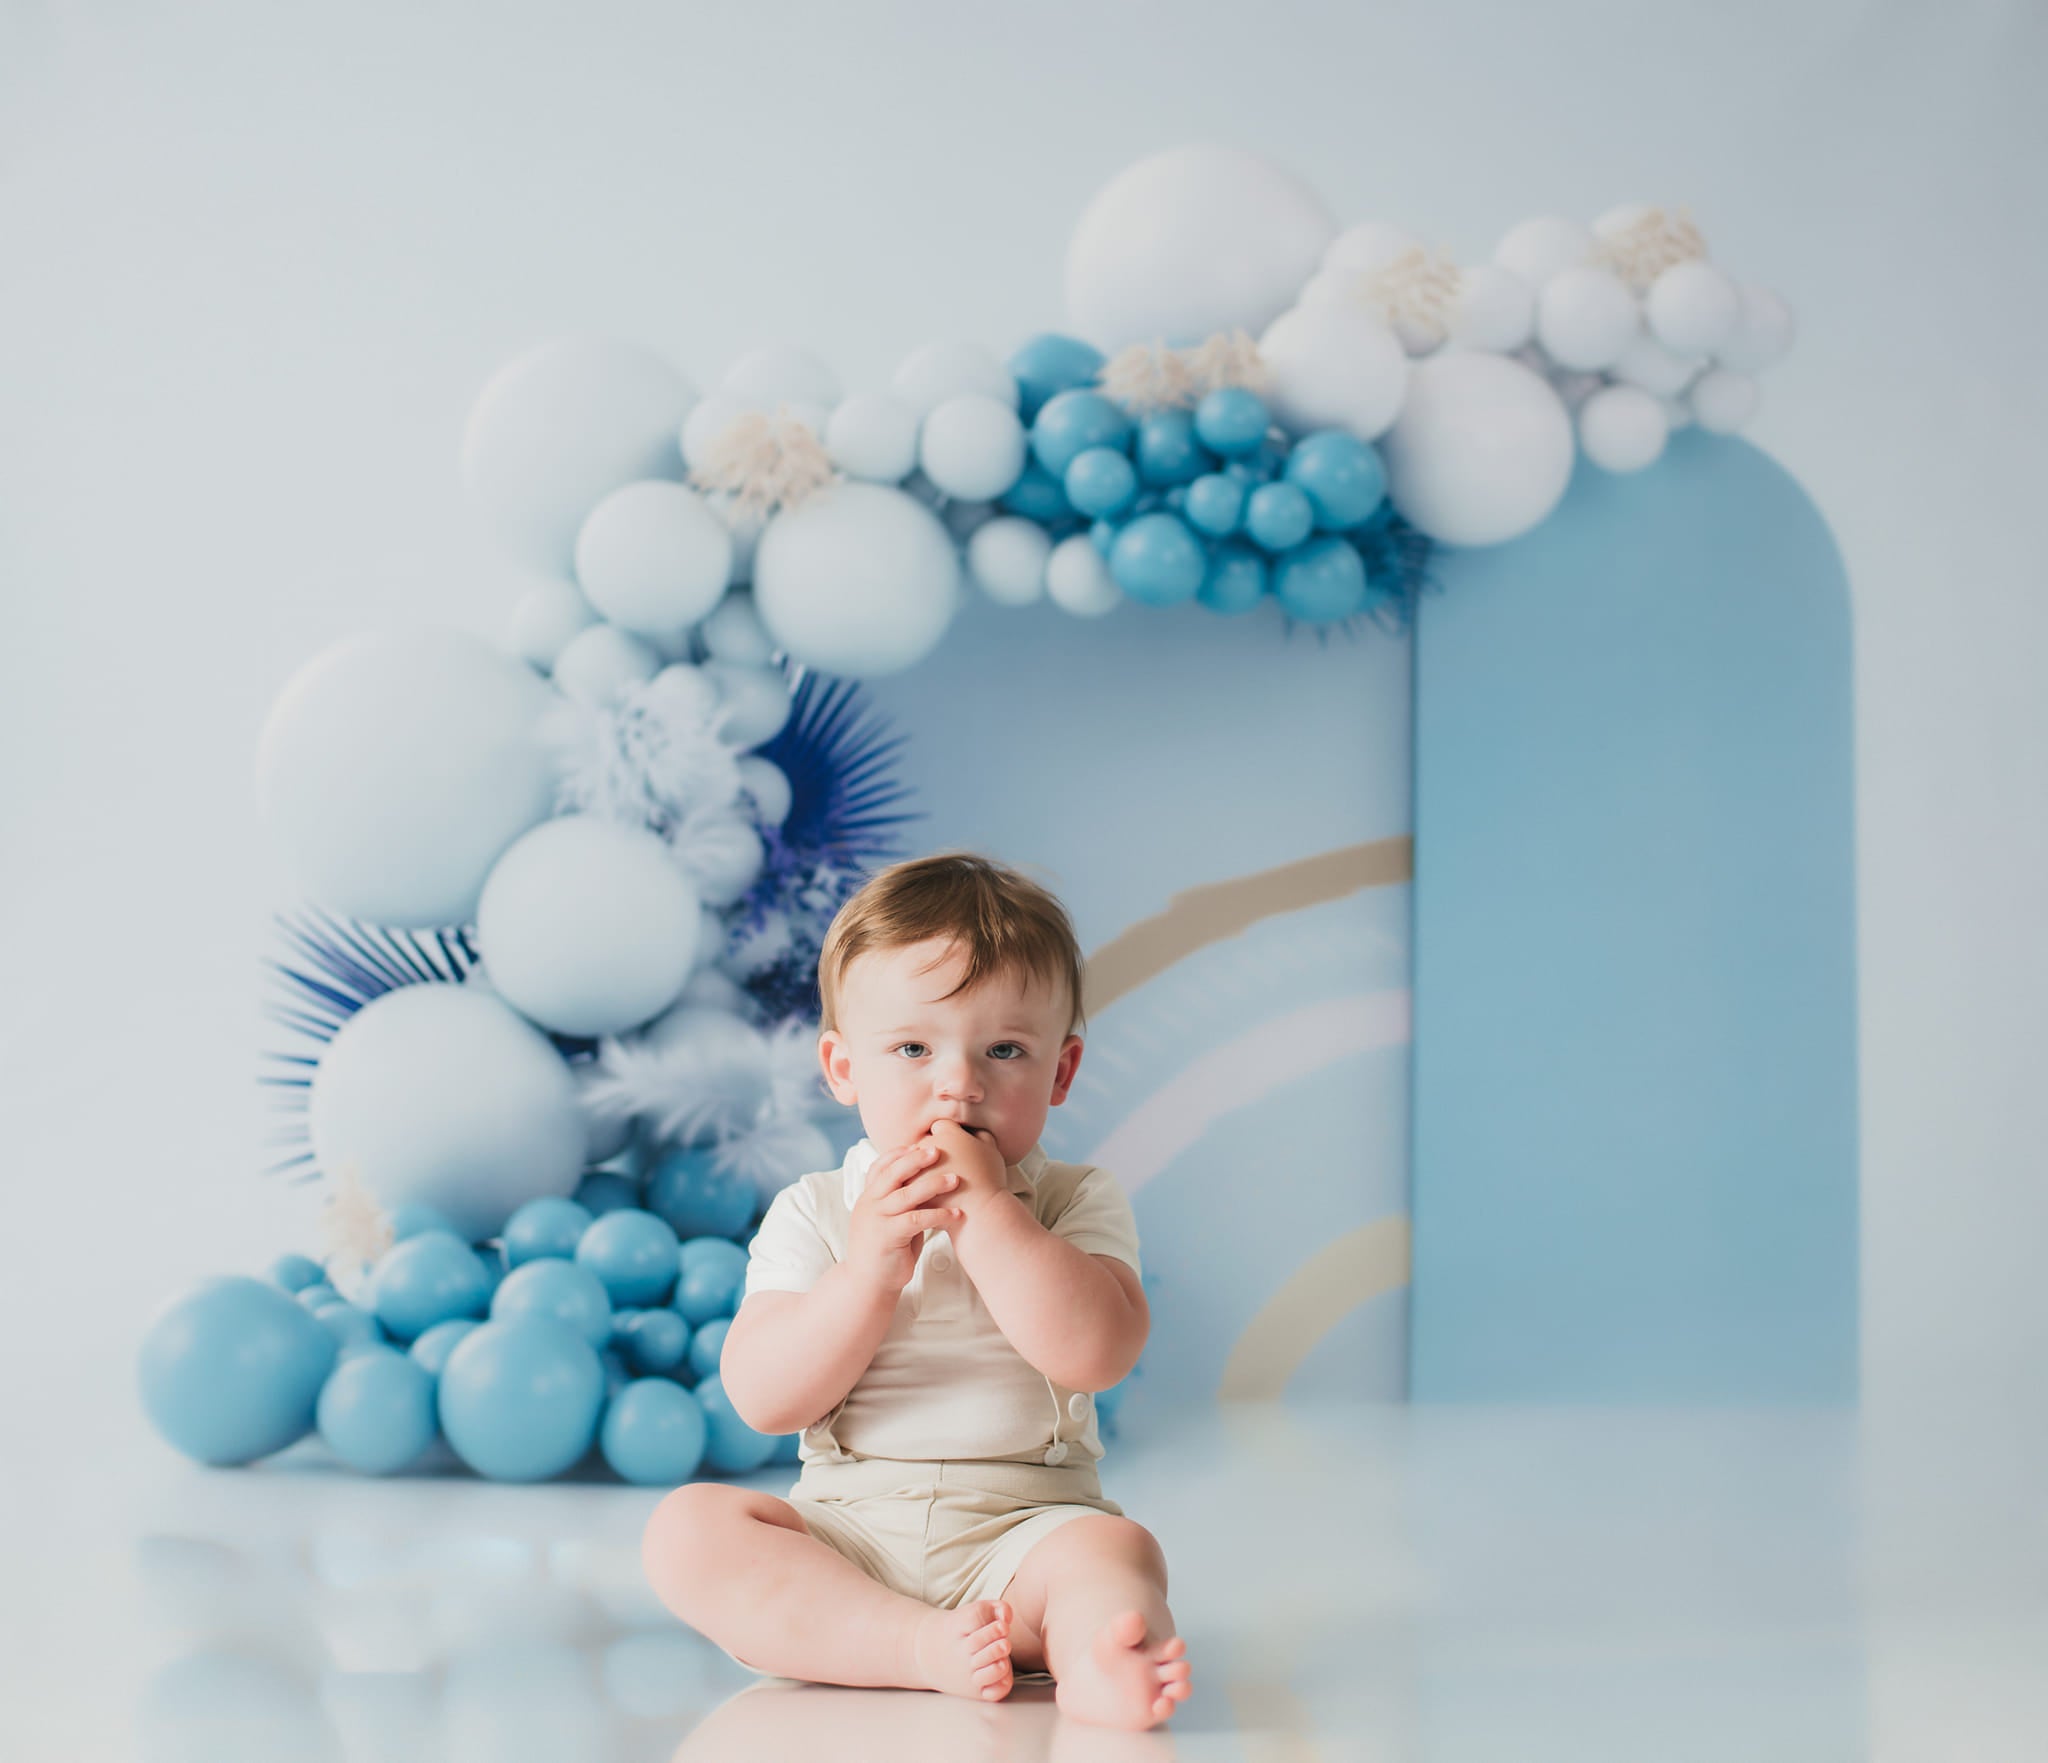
(232, 1371)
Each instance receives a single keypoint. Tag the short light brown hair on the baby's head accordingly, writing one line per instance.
(1000, 918)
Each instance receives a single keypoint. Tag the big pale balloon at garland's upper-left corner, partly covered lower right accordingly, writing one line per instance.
(560, 429)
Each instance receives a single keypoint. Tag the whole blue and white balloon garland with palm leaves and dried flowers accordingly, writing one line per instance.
(556, 984)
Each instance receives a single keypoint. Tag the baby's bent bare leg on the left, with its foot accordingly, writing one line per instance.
(740, 1567)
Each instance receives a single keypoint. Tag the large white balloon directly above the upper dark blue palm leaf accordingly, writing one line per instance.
(859, 580)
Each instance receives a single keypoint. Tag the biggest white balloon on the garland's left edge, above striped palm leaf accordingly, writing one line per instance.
(396, 769)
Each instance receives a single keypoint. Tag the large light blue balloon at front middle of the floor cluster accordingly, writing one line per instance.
(519, 1397)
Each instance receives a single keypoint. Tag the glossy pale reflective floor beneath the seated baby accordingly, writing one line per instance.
(1355, 1584)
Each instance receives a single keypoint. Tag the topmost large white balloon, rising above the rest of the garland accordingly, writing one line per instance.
(1193, 243)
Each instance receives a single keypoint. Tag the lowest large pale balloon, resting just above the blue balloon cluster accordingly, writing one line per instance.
(443, 1094)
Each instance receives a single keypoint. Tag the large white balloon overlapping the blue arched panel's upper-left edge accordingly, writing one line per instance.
(1482, 454)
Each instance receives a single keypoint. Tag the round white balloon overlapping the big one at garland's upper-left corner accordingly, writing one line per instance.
(654, 558)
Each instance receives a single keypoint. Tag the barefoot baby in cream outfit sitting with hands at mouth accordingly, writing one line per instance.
(935, 1316)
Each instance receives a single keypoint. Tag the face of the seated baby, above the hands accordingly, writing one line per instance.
(994, 1058)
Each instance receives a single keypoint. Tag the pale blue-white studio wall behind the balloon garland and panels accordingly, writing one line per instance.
(261, 261)
